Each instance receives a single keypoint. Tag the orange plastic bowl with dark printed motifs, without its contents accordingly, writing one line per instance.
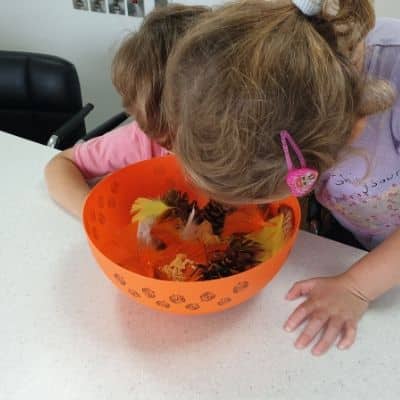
(112, 239)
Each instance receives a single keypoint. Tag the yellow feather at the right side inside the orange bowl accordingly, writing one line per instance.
(271, 237)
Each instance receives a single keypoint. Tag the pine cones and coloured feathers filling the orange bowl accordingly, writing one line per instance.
(180, 241)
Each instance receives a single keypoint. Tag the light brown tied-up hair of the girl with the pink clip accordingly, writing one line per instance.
(256, 68)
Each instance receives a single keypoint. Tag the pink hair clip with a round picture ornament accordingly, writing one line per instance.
(301, 181)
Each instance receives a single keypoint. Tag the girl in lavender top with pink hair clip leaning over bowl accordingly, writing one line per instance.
(264, 96)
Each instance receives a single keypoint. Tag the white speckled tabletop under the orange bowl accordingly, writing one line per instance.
(67, 333)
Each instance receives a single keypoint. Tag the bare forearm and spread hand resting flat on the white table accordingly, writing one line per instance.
(336, 304)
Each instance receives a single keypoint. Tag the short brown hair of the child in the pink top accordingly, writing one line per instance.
(138, 70)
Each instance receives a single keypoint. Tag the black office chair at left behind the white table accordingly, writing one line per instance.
(40, 93)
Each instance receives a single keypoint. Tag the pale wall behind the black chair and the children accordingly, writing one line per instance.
(86, 39)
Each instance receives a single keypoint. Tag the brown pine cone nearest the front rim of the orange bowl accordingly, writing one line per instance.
(240, 255)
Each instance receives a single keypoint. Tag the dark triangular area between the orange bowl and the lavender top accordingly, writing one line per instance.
(321, 222)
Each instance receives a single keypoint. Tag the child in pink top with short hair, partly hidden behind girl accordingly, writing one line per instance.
(138, 74)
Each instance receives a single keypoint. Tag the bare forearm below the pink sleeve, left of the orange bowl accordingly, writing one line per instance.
(66, 183)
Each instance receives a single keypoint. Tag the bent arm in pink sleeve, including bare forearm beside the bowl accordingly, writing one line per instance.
(68, 172)
